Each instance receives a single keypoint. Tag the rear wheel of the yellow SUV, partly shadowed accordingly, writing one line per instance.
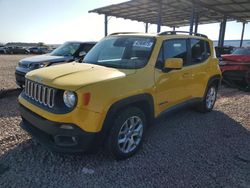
(209, 99)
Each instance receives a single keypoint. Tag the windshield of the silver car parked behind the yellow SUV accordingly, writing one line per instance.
(67, 49)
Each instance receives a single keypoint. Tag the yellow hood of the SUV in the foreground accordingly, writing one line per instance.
(72, 76)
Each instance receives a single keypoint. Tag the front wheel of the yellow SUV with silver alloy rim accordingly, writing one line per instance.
(128, 129)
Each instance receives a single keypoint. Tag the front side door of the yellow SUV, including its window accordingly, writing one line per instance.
(172, 87)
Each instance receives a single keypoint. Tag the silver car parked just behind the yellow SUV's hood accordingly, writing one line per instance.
(68, 52)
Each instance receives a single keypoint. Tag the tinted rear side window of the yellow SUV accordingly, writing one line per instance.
(200, 51)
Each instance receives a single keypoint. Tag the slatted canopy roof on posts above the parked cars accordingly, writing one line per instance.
(177, 13)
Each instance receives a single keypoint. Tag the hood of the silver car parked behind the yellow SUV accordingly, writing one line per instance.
(45, 58)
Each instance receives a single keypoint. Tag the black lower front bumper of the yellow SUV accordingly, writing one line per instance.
(53, 137)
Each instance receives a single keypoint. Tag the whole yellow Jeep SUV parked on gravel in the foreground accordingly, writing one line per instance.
(124, 83)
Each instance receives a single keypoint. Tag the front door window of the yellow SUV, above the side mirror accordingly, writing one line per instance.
(175, 48)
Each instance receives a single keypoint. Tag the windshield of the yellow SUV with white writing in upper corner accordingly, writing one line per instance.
(126, 52)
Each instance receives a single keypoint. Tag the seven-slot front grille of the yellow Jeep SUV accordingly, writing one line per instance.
(40, 93)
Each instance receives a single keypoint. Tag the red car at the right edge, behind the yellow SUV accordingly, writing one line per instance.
(235, 67)
